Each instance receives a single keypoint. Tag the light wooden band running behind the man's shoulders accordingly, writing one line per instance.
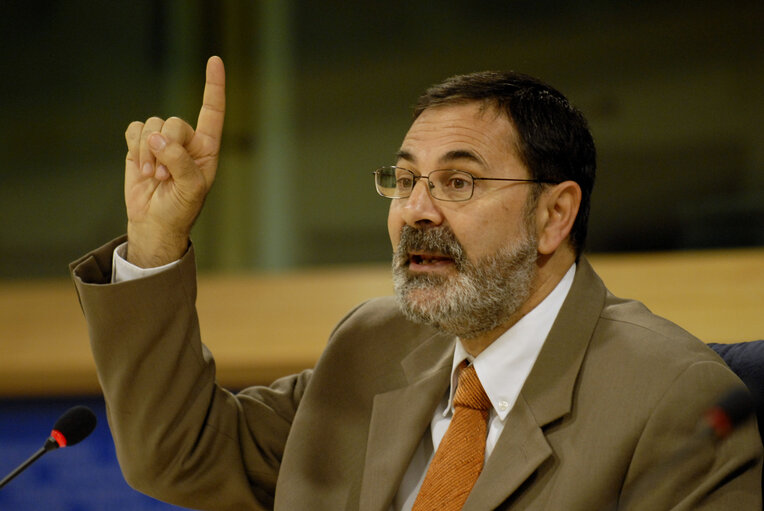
(261, 326)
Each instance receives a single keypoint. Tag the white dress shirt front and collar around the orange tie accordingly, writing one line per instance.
(502, 369)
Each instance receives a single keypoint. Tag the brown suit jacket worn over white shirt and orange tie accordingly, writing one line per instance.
(613, 393)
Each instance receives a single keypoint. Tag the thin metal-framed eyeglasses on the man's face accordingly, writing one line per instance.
(446, 185)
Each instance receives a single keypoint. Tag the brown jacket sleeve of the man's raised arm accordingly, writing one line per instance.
(179, 436)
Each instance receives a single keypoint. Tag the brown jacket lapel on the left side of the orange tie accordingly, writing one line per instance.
(400, 418)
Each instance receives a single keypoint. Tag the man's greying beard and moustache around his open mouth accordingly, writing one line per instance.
(479, 298)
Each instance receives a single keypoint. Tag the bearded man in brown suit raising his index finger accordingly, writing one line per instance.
(583, 396)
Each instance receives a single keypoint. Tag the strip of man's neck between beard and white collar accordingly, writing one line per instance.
(550, 271)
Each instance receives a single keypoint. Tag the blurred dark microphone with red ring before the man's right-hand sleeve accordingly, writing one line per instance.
(717, 423)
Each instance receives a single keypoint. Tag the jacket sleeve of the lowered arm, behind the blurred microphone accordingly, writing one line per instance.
(676, 467)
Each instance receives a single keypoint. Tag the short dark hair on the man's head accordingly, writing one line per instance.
(554, 138)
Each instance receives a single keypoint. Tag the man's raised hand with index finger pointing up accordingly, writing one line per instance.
(169, 169)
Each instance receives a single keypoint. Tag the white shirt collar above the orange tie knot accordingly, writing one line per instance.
(504, 366)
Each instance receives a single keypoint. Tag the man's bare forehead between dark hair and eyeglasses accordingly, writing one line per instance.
(443, 131)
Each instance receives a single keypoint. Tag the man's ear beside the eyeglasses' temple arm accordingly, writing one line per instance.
(555, 214)
